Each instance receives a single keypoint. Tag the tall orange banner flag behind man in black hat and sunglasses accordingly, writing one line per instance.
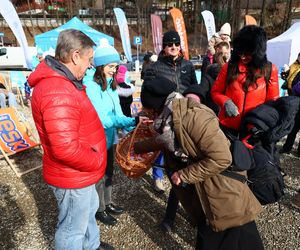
(180, 28)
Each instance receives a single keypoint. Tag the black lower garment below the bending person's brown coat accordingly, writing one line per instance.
(245, 237)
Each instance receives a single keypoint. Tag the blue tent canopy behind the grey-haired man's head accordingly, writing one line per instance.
(49, 38)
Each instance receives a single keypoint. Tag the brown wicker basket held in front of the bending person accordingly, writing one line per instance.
(135, 165)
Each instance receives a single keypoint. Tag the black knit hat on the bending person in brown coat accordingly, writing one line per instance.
(155, 92)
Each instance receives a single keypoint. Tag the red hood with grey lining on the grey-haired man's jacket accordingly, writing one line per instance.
(50, 67)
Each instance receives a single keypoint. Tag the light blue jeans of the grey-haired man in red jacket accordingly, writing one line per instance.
(77, 228)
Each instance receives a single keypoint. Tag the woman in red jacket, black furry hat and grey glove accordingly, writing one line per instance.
(247, 80)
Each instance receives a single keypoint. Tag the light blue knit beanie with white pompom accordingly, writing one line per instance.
(105, 54)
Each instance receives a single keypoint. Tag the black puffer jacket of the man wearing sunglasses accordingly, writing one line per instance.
(180, 71)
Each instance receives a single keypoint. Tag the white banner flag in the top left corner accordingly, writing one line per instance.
(10, 15)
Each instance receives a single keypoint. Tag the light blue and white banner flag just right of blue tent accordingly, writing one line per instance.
(124, 32)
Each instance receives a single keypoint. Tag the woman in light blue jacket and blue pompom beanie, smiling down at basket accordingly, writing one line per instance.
(101, 90)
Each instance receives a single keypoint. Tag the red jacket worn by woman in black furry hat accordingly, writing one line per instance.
(245, 102)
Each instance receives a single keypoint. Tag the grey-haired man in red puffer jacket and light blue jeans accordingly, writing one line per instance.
(72, 137)
